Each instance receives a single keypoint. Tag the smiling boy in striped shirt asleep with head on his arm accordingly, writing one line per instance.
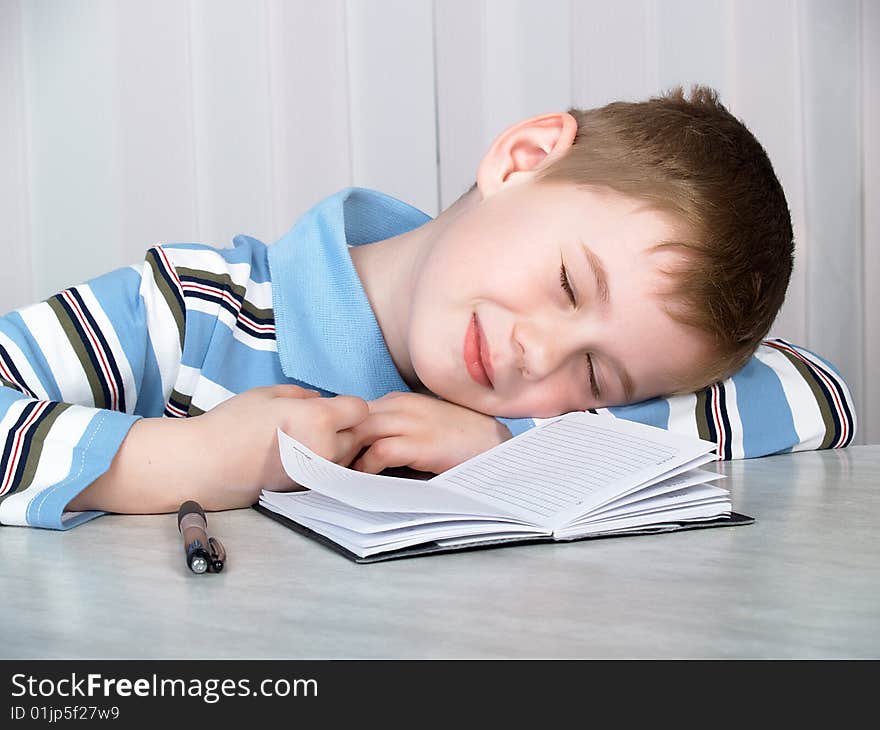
(602, 259)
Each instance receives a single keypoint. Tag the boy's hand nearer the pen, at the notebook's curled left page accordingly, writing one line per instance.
(242, 433)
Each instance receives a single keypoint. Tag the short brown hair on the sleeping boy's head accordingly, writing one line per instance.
(695, 161)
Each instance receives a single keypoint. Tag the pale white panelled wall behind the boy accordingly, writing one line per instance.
(128, 123)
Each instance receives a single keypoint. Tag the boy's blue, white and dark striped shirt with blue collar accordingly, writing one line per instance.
(193, 325)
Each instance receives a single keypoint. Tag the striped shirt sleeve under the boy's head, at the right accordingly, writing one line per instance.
(785, 399)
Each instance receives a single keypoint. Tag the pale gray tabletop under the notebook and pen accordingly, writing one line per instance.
(803, 581)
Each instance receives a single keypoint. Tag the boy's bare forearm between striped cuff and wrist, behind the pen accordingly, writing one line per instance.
(161, 463)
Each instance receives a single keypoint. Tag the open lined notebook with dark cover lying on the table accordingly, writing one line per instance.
(577, 476)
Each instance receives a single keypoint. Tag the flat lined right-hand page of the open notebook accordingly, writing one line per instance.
(570, 466)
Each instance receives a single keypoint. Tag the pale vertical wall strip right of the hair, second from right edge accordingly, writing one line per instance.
(834, 259)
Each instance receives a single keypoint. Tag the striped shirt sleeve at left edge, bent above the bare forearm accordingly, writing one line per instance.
(76, 371)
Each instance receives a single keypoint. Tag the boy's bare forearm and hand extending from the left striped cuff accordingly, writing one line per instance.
(225, 457)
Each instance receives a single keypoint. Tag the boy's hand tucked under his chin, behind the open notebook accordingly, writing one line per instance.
(423, 433)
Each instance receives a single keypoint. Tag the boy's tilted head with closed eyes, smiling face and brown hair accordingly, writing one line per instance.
(650, 242)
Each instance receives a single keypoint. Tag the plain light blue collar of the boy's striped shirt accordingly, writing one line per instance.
(327, 334)
